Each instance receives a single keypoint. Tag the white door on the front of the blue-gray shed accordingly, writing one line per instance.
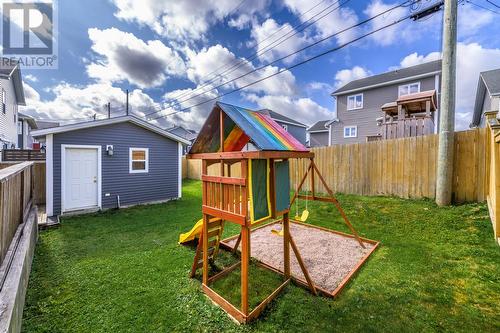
(80, 179)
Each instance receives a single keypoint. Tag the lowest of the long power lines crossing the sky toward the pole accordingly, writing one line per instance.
(291, 67)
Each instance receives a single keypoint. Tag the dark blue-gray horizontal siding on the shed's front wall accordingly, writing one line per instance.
(160, 183)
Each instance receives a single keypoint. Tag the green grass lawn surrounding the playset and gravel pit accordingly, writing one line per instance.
(437, 269)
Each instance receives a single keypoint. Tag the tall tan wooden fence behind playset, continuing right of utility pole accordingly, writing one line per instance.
(401, 167)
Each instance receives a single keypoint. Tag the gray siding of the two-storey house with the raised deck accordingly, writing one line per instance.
(365, 118)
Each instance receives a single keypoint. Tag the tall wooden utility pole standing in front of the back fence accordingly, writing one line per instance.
(447, 105)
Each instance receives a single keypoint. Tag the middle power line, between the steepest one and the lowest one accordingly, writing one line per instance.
(289, 55)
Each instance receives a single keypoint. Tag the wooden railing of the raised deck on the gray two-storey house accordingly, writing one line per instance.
(407, 127)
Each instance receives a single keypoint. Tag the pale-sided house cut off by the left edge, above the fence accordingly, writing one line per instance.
(11, 95)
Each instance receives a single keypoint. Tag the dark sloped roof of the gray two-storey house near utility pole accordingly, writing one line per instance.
(418, 71)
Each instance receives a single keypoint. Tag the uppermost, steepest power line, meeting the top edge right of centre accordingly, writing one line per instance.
(297, 29)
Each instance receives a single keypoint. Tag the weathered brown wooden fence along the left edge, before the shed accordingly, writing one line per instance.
(16, 197)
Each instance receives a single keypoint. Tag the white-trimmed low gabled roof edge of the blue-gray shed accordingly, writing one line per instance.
(116, 120)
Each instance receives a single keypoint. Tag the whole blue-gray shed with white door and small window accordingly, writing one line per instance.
(112, 162)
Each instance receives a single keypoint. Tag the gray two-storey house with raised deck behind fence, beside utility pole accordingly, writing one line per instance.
(399, 103)
